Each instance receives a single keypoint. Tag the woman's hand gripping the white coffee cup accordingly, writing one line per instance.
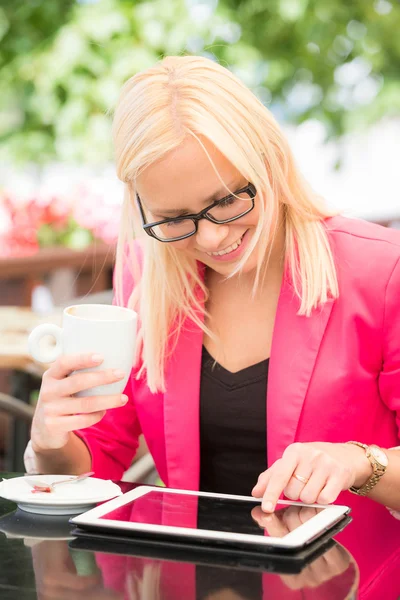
(58, 412)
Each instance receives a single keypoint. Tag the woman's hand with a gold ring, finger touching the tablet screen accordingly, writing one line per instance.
(313, 472)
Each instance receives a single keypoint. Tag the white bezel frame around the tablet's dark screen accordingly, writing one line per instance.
(303, 535)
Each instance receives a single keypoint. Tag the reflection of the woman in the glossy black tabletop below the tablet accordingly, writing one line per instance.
(333, 575)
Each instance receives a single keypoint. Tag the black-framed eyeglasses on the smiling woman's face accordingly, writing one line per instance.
(228, 209)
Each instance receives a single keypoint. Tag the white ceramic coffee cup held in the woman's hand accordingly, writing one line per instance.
(91, 329)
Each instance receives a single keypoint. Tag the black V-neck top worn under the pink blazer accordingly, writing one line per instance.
(233, 440)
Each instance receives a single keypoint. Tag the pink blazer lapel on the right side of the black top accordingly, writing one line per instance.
(295, 345)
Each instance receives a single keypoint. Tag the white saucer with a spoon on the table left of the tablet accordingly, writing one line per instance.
(66, 499)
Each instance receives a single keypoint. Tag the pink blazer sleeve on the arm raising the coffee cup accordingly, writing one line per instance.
(113, 441)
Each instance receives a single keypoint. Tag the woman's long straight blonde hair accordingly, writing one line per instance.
(158, 109)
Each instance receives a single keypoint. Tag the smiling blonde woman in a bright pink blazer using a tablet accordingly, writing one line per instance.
(247, 288)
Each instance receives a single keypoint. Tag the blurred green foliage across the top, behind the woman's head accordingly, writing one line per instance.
(62, 62)
